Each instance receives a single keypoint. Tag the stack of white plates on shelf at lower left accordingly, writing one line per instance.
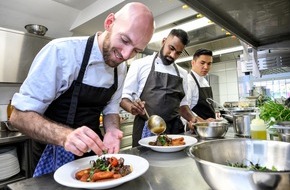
(9, 163)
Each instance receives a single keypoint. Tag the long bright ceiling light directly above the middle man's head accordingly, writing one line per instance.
(188, 26)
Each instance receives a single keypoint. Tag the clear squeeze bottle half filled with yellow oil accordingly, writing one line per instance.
(258, 128)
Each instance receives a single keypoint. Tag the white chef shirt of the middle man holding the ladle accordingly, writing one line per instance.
(138, 73)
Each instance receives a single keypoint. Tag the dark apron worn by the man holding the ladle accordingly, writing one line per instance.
(163, 93)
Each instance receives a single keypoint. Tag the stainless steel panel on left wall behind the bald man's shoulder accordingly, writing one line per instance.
(17, 51)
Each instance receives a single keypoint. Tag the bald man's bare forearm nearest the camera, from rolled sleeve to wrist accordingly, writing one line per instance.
(37, 127)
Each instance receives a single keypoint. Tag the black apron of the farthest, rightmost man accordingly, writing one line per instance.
(203, 109)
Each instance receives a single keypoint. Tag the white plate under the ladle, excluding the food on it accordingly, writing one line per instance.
(187, 139)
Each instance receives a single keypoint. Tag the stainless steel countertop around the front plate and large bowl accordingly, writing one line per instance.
(166, 171)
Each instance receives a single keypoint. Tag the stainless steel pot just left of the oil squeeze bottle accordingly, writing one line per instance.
(242, 124)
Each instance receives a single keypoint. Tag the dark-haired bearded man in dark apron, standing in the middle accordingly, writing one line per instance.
(162, 91)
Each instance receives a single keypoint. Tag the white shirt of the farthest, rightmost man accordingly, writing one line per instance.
(193, 92)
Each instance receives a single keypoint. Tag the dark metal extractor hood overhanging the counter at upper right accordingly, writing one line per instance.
(262, 24)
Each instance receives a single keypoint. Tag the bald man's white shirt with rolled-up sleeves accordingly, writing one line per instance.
(57, 65)
